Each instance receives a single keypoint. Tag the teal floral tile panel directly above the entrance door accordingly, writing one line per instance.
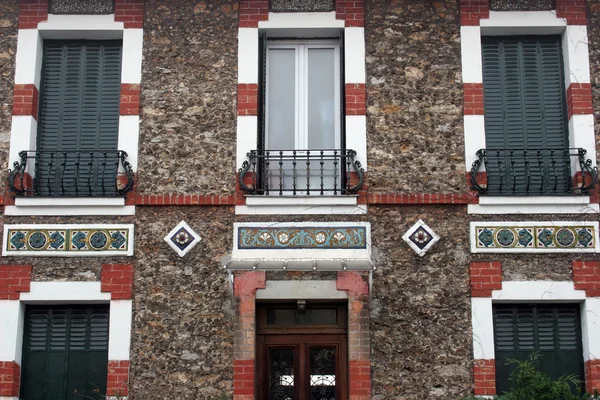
(264, 237)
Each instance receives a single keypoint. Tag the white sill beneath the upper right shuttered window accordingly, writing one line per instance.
(533, 205)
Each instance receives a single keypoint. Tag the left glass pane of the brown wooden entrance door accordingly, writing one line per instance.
(281, 374)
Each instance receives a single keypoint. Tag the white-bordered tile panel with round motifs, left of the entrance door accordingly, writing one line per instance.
(68, 240)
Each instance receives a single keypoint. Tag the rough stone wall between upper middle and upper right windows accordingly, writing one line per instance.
(414, 97)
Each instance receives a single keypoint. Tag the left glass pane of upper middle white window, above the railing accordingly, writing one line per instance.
(281, 99)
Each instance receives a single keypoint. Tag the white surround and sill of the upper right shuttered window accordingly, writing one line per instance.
(581, 127)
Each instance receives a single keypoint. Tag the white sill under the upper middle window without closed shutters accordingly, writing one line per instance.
(303, 205)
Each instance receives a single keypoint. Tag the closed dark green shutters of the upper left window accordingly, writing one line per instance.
(79, 118)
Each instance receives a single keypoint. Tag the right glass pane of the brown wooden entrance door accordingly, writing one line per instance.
(322, 374)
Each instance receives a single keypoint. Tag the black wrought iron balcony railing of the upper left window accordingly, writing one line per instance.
(71, 173)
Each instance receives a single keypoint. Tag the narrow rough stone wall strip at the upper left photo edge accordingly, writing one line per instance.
(8, 49)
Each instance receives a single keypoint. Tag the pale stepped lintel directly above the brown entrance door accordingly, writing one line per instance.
(301, 290)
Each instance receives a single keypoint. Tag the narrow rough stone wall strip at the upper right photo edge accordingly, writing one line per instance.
(594, 47)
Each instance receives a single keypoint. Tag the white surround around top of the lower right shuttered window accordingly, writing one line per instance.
(539, 292)
